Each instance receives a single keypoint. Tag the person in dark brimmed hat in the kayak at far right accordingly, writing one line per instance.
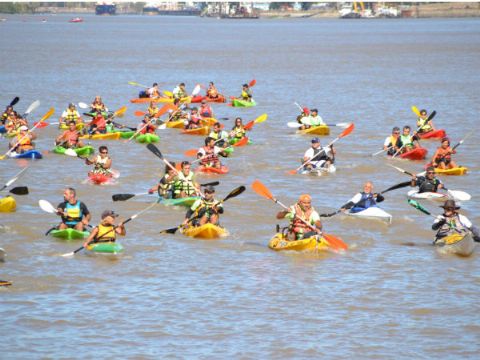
(451, 222)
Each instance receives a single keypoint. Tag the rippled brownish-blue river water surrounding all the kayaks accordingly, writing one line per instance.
(389, 296)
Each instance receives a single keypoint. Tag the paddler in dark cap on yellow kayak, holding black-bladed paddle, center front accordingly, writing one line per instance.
(204, 210)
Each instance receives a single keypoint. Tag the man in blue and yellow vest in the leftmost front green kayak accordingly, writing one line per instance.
(74, 213)
